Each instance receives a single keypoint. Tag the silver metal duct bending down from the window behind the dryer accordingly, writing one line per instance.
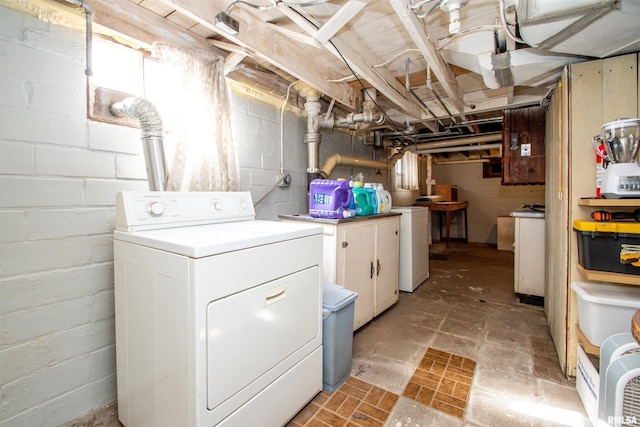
(151, 135)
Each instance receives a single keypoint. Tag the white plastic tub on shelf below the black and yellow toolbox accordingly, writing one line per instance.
(605, 310)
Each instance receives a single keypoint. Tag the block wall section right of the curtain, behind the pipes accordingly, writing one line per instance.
(257, 132)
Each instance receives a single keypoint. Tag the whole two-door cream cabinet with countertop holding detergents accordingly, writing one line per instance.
(363, 255)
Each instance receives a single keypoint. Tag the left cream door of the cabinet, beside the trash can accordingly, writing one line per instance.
(356, 267)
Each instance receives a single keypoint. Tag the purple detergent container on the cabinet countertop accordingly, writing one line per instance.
(329, 198)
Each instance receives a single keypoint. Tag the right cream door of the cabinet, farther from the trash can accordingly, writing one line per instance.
(387, 263)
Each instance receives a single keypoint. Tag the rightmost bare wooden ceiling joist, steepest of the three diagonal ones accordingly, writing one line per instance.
(415, 28)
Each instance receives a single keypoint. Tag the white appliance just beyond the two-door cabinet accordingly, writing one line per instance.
(414, 246)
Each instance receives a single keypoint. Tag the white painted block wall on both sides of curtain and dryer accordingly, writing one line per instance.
(59, 174)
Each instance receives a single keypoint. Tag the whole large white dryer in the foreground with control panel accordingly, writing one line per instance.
(218, 315)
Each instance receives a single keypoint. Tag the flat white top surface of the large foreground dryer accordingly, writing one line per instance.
(212, 239)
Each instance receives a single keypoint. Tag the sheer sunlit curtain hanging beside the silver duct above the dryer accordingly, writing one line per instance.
(194, 103)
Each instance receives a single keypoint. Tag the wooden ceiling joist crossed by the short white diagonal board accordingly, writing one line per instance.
(356, 55)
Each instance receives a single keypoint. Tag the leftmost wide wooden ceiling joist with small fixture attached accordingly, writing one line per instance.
(271, 46)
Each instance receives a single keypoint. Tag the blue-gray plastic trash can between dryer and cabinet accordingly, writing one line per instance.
(337, 335)
